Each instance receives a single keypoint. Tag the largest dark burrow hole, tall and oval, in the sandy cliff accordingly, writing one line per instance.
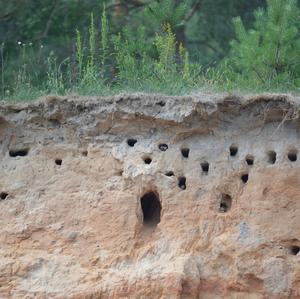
(151, 209)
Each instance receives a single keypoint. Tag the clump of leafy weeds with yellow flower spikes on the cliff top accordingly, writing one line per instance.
(152, 67)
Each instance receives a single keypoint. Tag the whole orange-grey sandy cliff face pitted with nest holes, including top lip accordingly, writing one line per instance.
(150, 197)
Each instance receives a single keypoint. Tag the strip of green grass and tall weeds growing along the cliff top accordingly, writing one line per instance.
(125, 62)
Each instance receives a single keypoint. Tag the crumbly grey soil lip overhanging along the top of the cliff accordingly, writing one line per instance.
(167, 108)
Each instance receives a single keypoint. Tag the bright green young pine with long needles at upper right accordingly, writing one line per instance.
(269, 53)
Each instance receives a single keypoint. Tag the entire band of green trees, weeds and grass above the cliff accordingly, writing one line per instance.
(159, 56)
